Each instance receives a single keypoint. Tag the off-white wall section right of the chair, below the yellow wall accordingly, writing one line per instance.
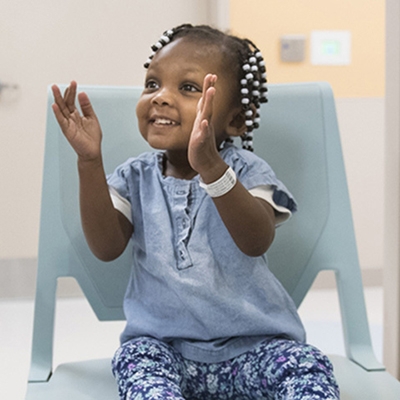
(361, 123)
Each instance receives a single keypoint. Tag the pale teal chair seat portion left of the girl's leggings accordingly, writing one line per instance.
(85, 380)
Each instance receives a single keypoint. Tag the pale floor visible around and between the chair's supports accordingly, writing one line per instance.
(76, 322)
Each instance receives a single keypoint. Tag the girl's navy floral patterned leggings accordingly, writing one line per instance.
(146, 368)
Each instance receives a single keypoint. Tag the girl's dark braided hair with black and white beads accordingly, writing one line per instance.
(244, 59)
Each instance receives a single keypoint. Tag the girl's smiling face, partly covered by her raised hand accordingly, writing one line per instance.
(174, 81)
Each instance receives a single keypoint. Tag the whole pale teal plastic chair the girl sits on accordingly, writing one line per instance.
(299, 137)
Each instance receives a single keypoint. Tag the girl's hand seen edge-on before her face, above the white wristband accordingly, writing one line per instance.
(202, 152)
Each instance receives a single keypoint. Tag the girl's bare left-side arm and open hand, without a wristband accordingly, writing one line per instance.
(106, 230)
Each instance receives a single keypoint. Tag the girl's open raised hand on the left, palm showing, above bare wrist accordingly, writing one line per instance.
(83, 132)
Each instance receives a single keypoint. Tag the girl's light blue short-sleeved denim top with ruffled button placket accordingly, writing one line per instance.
(190, 285)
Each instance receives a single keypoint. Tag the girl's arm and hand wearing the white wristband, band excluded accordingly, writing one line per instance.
(249, 220)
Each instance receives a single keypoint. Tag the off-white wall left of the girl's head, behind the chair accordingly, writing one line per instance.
(48, 41)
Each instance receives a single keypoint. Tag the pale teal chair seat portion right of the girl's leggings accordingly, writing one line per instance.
(356, 383)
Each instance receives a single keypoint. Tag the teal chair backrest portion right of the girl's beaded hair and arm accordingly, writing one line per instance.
(299, 137)
